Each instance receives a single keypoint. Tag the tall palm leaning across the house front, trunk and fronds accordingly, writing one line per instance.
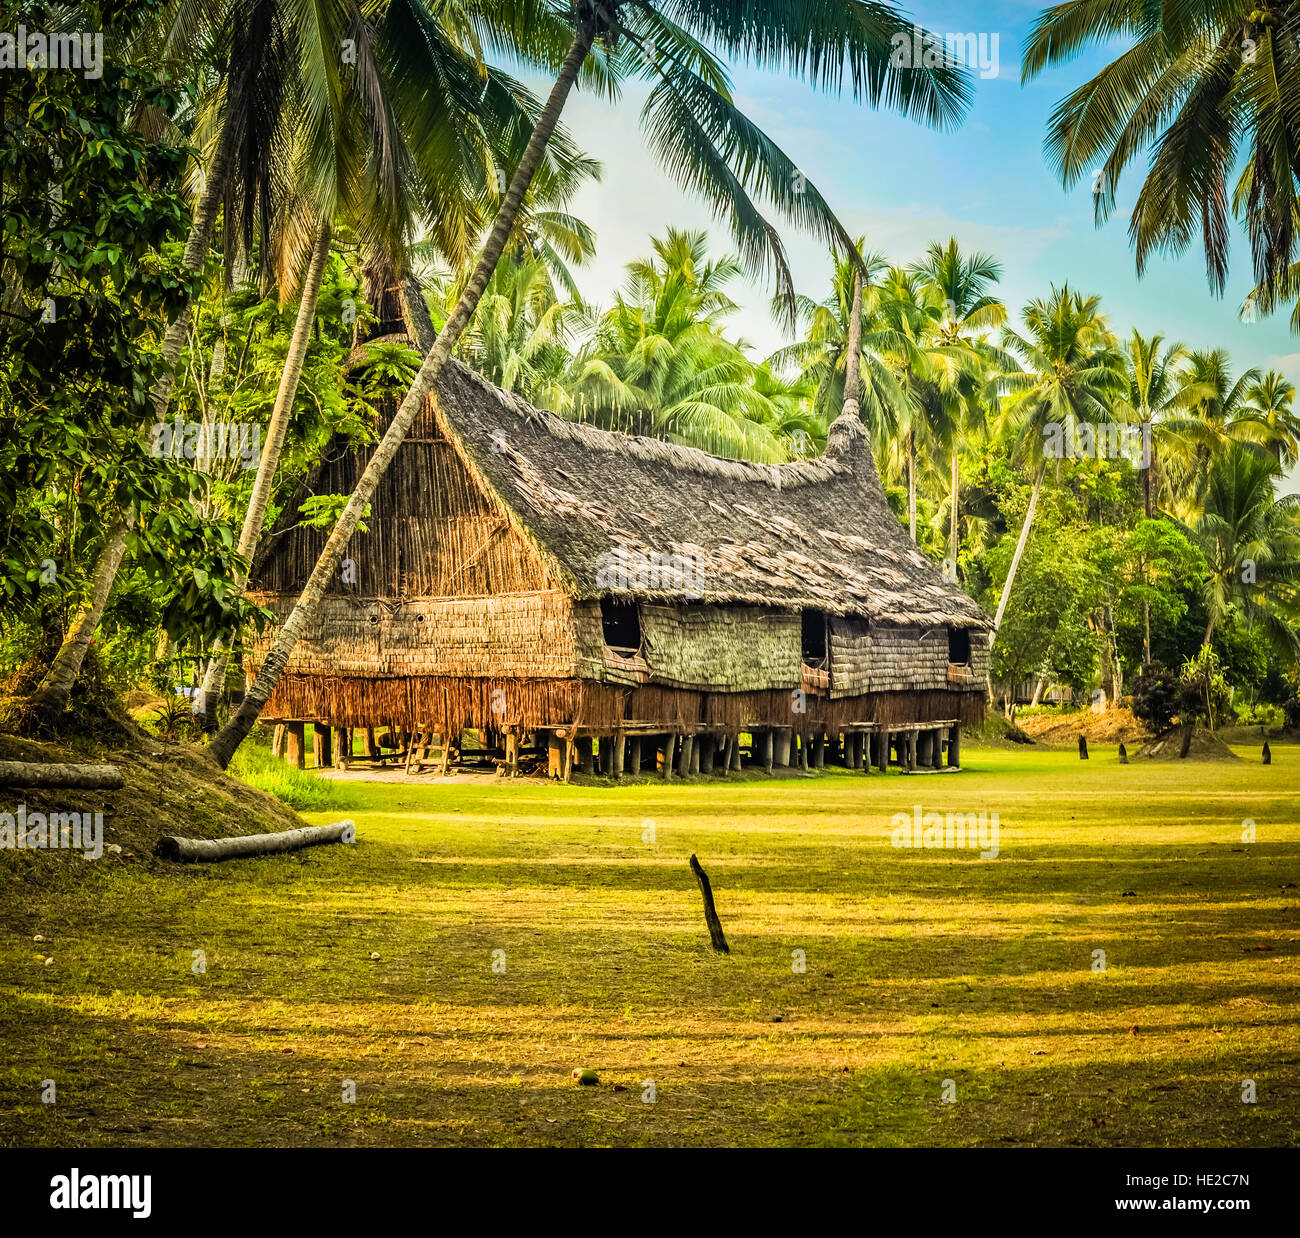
(704, 141)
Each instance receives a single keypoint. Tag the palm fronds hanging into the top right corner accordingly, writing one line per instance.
(1199, 89)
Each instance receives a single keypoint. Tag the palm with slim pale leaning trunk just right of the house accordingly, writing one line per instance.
(1073, 373)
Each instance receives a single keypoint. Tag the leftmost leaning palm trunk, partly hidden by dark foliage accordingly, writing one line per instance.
(51, 696)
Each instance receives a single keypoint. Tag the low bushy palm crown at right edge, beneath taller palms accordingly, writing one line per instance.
(1251, 540)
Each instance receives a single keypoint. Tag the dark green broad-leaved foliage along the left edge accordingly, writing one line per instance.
(93, 219)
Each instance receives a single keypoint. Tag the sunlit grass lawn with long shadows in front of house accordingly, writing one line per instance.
(922, 967)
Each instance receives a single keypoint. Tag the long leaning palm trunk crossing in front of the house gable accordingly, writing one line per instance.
(237, 729)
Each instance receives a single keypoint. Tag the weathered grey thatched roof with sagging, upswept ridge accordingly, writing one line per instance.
(642, 518)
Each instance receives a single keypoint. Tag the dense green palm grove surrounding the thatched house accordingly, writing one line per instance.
(196, 244)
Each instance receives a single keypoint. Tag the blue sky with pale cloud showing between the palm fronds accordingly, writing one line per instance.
(903, 185)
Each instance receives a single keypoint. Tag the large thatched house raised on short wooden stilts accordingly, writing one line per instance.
(623, 605)
